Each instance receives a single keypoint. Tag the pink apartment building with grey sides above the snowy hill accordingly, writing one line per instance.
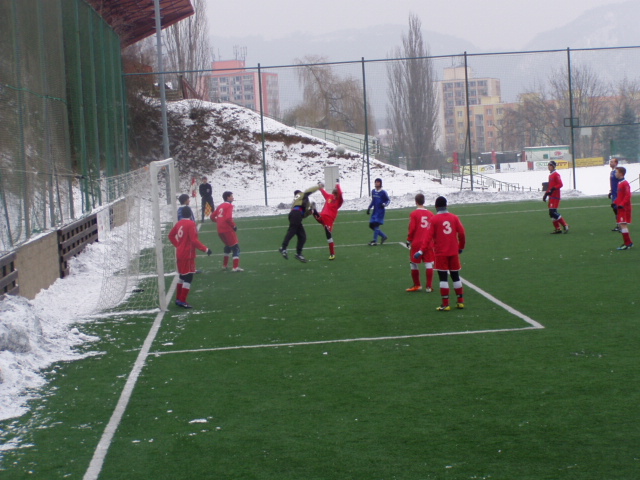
(231, 82)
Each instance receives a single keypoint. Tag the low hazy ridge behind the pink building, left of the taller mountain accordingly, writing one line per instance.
(372, 43)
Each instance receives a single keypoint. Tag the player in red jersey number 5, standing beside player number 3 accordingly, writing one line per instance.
(418, 225)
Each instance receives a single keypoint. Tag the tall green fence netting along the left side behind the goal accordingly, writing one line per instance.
(62, 114)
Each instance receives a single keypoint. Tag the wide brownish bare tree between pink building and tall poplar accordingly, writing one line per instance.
(329, 101)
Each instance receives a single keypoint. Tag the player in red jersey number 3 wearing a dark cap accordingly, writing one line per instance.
(449, 239)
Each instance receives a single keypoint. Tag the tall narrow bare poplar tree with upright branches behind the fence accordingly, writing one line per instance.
(413, 101)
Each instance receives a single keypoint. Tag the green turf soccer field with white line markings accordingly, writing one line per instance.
(330, 370)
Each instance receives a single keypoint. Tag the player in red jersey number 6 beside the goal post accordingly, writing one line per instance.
(184, 236)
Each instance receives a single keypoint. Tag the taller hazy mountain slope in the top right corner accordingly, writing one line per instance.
(607, 26)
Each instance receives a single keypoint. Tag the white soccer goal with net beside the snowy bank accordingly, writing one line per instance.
(139, 261)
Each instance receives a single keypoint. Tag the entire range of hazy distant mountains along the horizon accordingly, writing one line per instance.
(608, 26)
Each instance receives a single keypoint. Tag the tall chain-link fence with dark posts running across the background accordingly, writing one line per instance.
(490, 109)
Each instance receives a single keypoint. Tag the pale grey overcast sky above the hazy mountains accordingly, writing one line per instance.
(508, 24)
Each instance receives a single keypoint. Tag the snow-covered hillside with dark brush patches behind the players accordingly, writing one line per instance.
(224, 143)
